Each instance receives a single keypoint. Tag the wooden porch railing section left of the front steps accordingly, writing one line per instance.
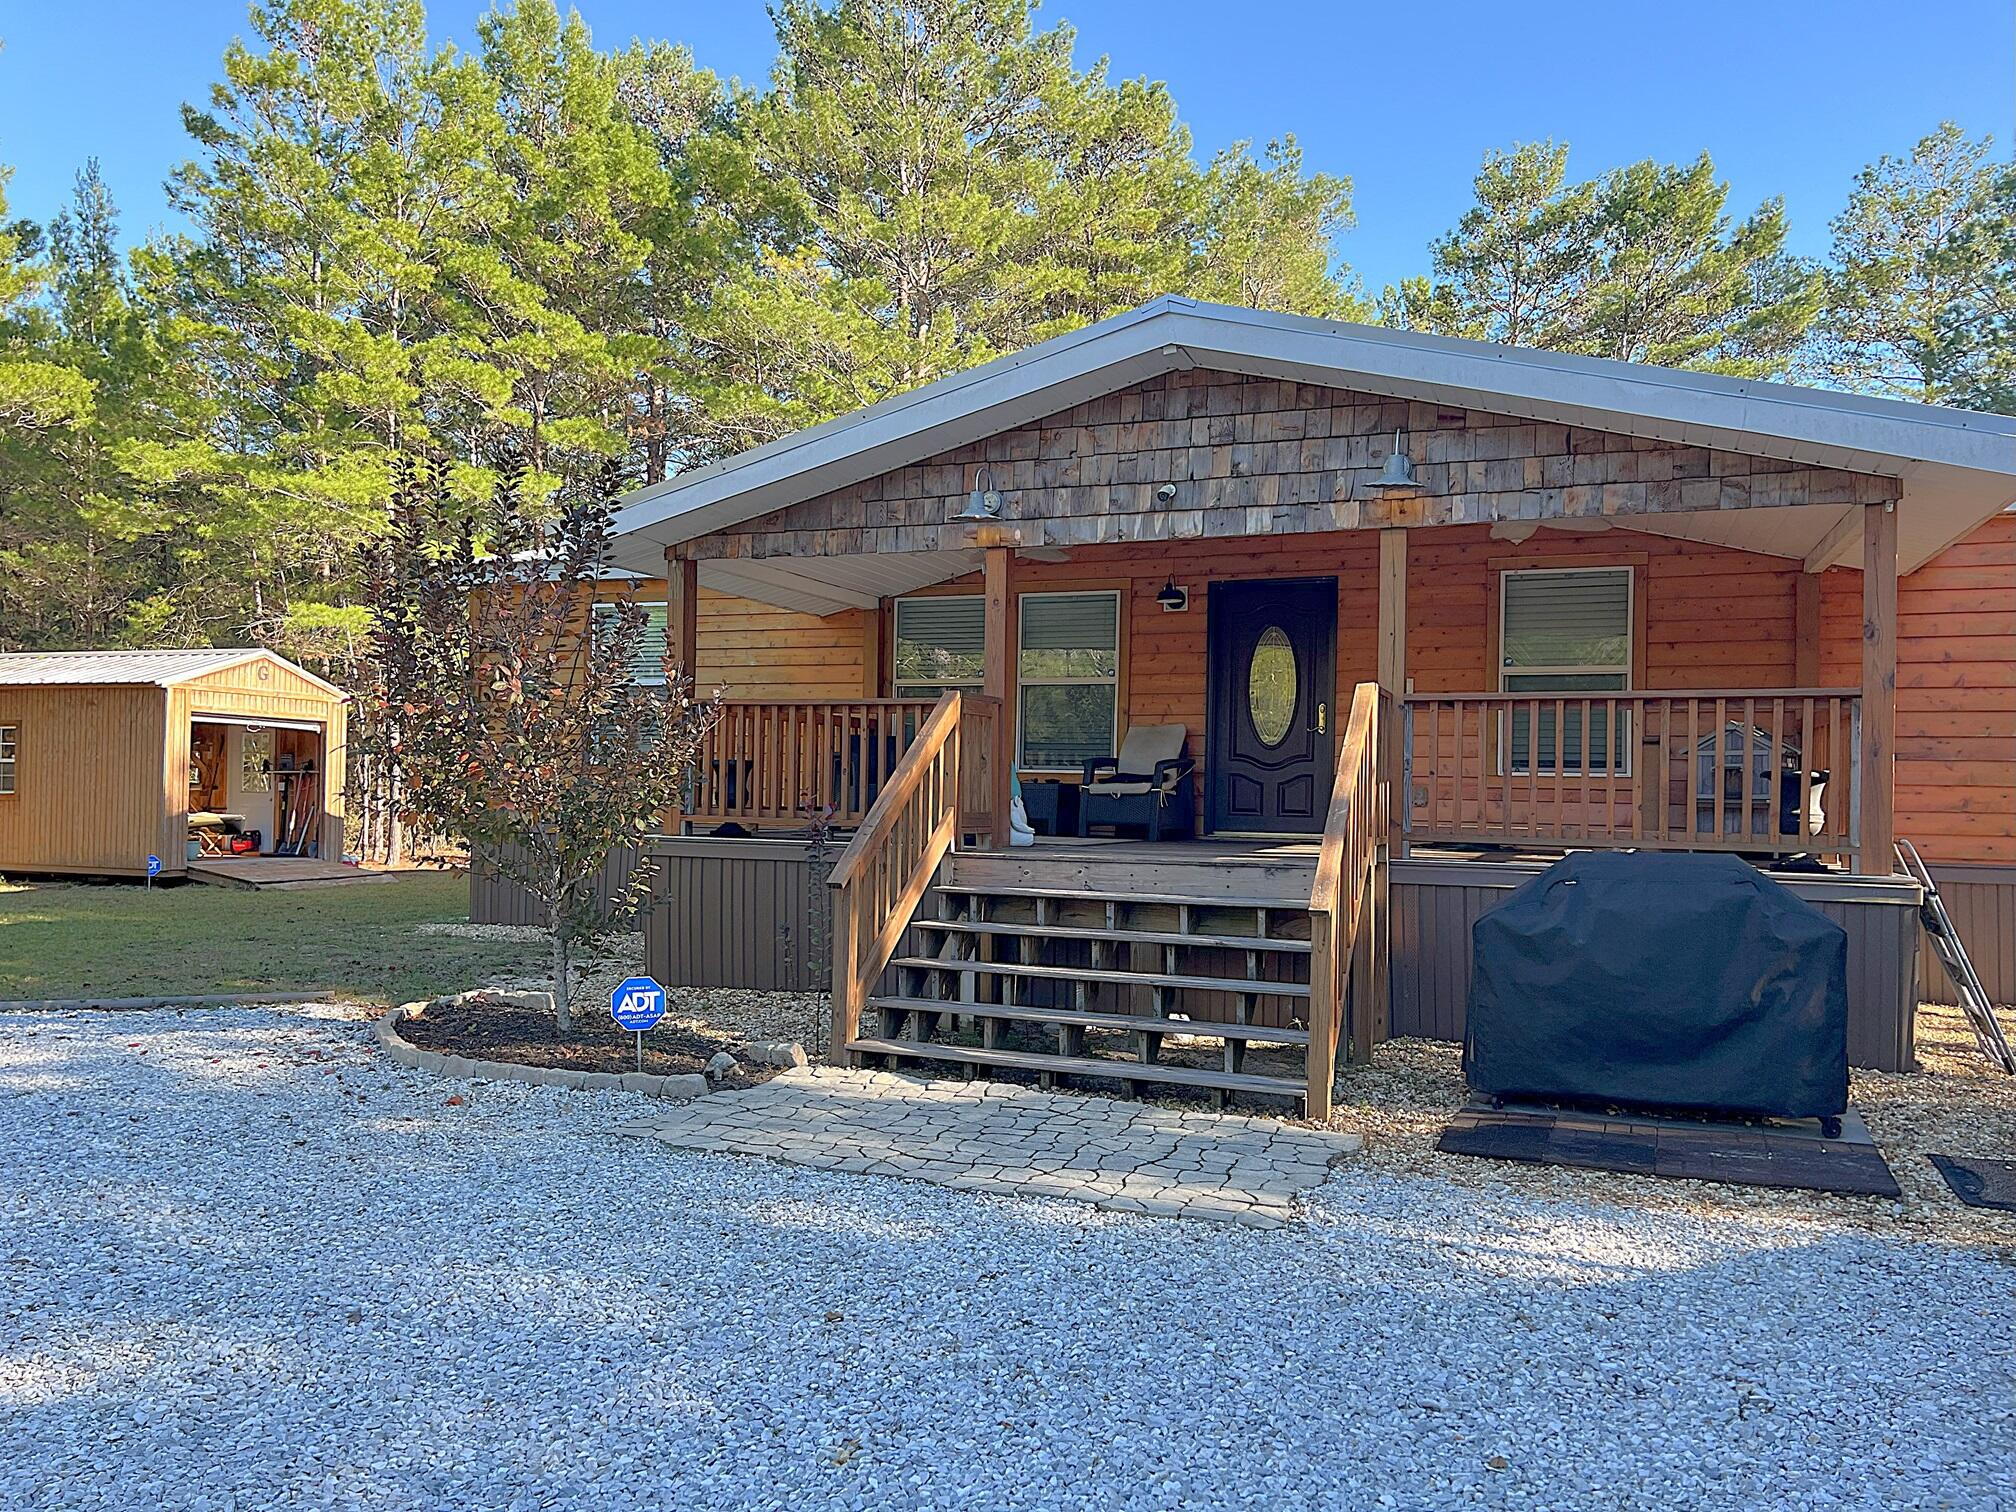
(783, 763)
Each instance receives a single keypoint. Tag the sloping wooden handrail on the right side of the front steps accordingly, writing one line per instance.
(1348, 951)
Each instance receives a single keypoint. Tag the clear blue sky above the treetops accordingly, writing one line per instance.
(1789, 98)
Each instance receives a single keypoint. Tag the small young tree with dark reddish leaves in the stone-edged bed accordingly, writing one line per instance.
(505, 699)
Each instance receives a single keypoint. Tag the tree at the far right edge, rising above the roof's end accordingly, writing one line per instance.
(1912, 249)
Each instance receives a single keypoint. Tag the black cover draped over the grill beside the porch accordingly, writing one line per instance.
(1660, 981)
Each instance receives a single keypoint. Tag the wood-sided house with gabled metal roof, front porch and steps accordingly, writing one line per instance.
(1426, 612)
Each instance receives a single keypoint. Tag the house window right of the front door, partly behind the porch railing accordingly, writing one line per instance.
(1567, 632)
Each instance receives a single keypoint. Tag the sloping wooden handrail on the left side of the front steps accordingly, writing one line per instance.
(886, 870)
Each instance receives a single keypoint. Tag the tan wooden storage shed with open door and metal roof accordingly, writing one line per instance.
(112, 757)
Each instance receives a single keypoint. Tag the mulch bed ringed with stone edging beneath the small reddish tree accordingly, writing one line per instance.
(527, 1037)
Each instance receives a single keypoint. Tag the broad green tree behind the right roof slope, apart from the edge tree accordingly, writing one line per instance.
(1640, 265)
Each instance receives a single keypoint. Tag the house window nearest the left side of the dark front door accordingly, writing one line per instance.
(1069, 678)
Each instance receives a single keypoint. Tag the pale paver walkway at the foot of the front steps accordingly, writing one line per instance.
(1001, 1138)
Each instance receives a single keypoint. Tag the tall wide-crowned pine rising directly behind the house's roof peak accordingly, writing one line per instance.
(934, 182)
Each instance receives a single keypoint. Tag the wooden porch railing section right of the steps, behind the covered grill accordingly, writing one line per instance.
(1767, 773)
